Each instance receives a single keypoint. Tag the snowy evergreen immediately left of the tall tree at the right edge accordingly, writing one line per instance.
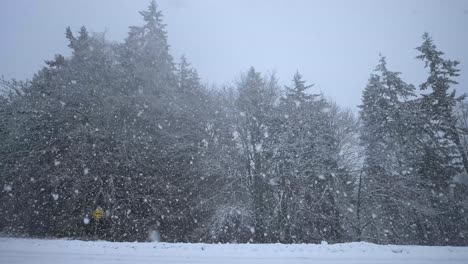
(390, 152)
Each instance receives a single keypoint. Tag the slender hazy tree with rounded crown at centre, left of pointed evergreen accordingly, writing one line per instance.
(255, 104)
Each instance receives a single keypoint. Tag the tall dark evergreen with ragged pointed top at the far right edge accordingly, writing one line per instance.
(444, 157)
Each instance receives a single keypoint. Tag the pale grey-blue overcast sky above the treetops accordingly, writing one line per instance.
(334, 44)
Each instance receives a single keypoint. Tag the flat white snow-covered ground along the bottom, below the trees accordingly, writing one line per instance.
(14, 250)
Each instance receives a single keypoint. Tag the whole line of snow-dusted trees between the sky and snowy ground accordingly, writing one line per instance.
(123, 127)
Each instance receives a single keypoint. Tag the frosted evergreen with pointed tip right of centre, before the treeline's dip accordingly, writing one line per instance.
(308, 173)
